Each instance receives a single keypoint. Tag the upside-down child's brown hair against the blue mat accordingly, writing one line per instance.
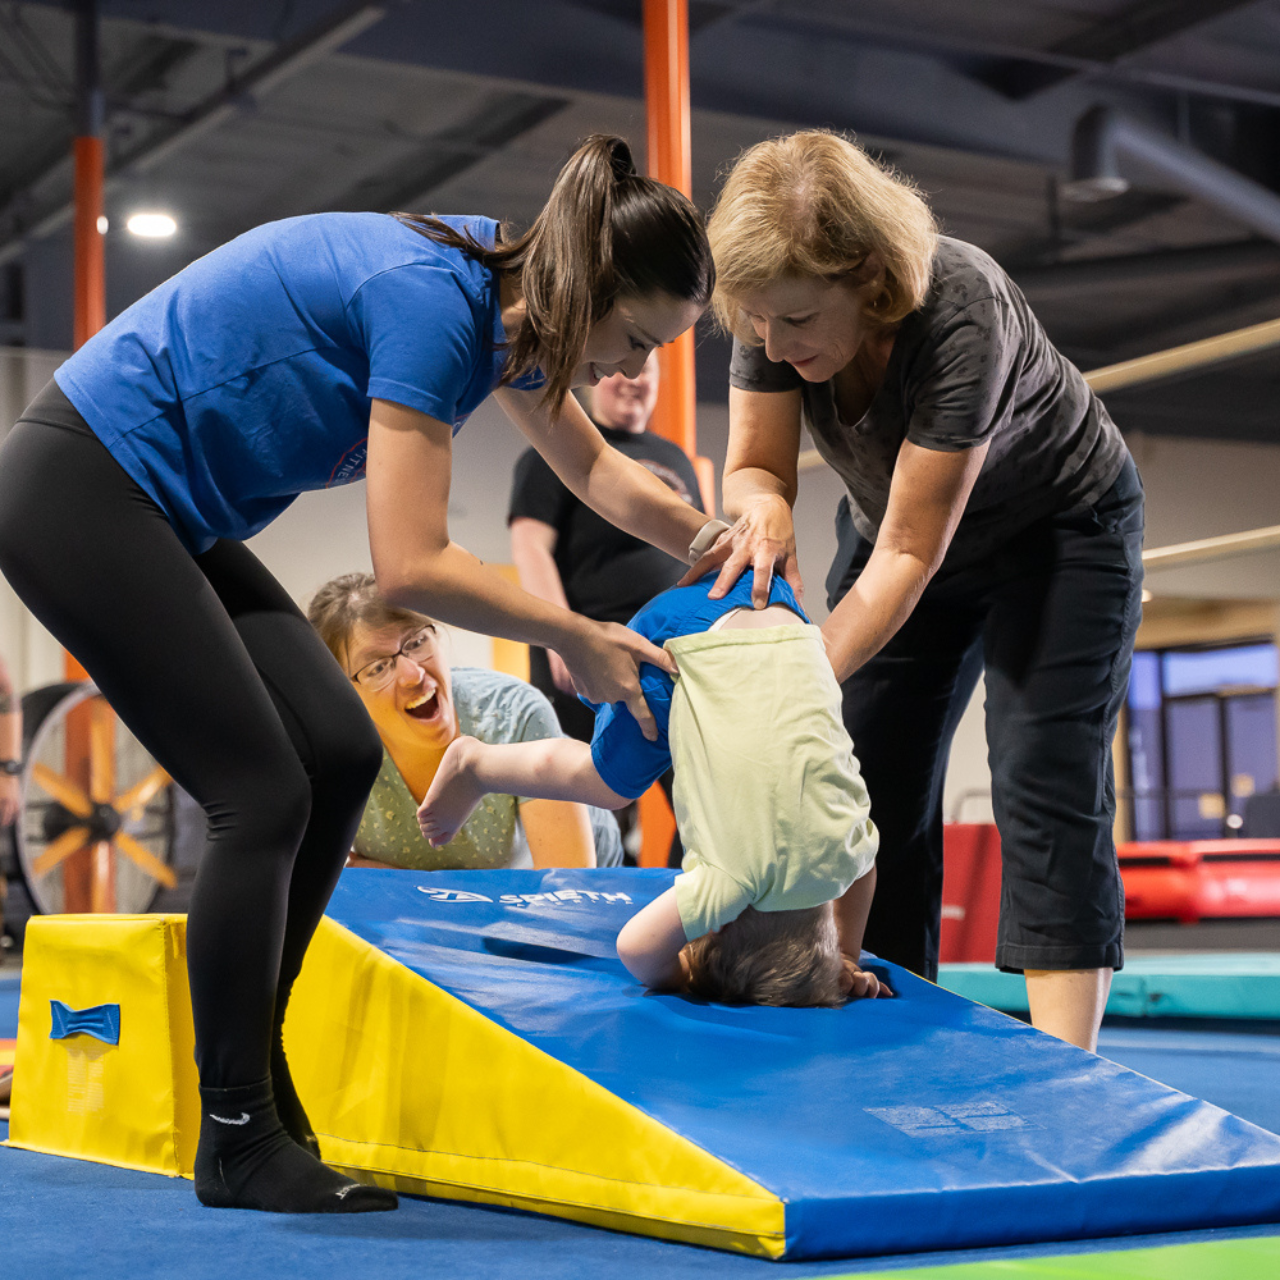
(770, 958)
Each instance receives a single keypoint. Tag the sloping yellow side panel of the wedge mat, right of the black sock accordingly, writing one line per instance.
(413, 1089)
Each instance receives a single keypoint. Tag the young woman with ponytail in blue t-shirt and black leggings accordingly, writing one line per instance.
(307, 354)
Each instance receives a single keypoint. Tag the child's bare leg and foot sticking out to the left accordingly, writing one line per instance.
(552, 769)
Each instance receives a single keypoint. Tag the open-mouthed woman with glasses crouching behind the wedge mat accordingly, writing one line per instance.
(397, 662)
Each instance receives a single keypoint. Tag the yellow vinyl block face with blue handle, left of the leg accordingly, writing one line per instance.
(132, 1104)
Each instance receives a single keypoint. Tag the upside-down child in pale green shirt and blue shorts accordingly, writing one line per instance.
(780, 849)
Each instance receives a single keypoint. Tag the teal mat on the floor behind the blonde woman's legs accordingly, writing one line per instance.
(1224, 985)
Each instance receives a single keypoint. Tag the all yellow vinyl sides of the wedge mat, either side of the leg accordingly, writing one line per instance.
(406, 1086)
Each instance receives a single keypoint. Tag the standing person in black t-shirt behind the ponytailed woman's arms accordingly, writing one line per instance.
(568, 555)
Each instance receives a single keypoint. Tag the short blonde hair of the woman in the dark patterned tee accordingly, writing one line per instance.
(815, 204)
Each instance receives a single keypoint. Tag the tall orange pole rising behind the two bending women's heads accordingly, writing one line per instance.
(666, 74)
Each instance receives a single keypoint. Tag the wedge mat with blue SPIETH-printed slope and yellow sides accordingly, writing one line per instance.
(472, 1035)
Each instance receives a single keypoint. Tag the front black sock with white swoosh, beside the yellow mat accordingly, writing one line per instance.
(246, 1160)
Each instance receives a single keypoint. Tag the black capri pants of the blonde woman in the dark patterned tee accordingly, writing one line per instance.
(1052, 618)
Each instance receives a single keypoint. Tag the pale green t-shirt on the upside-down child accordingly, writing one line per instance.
(770, 801)
